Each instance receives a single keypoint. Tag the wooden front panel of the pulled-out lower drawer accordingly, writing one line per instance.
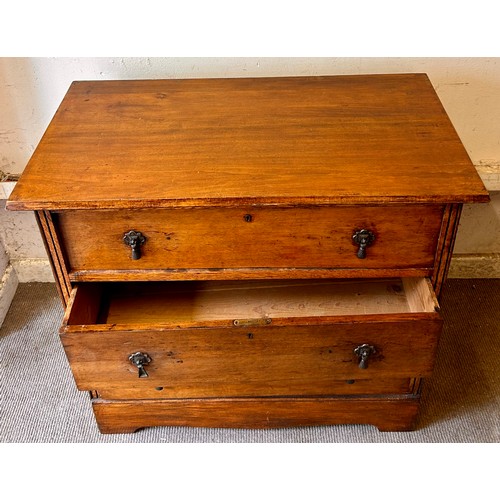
(261, 361)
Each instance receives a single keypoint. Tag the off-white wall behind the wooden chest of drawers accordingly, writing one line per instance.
(32, 88)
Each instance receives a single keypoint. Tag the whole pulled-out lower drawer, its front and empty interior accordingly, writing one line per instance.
(223, 339)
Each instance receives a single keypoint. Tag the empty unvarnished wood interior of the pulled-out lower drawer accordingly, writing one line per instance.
(209, 303)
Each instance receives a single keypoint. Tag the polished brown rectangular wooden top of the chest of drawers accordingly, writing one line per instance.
(222, 142)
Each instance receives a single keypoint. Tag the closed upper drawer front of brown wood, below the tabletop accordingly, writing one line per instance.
(405, 236)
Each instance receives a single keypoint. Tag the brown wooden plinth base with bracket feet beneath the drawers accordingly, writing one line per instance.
(387, 413)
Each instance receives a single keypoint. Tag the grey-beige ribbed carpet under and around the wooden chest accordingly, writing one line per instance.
(39, 402)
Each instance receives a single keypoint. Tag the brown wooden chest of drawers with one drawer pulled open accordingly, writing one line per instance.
(250, 252)
